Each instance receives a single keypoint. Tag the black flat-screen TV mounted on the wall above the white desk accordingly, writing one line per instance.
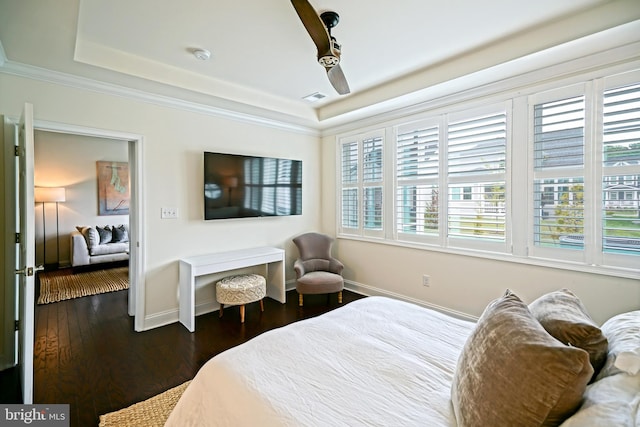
(240, 186)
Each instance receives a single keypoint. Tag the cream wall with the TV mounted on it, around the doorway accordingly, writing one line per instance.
(173, 144)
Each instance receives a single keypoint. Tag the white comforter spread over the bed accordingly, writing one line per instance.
(375, 362)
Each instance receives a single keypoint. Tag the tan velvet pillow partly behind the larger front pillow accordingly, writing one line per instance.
(564, 316)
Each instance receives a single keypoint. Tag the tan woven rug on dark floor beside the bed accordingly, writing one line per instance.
(149, 413)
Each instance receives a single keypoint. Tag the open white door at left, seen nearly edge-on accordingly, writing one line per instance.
(25, 263)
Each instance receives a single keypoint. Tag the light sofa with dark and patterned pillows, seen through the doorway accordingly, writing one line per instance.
(95, 245)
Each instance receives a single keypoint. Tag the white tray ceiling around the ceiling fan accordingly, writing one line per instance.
(262, 56)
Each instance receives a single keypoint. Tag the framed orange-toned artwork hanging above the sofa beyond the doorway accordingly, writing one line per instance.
(113, 188)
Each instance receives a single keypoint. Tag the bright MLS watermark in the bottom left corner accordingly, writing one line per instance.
(34, 415)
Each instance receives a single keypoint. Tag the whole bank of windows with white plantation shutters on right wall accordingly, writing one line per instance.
(548, 176)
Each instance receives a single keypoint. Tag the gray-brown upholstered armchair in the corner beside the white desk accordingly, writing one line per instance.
(317, 272)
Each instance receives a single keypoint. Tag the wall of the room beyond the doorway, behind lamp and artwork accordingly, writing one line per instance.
(69, 161)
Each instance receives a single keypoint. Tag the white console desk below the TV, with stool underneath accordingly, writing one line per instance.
(192, 267)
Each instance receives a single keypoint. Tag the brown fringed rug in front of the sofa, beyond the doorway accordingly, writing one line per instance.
(64, 284)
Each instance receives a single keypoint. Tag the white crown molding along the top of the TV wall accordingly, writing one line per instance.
(251, 115)
